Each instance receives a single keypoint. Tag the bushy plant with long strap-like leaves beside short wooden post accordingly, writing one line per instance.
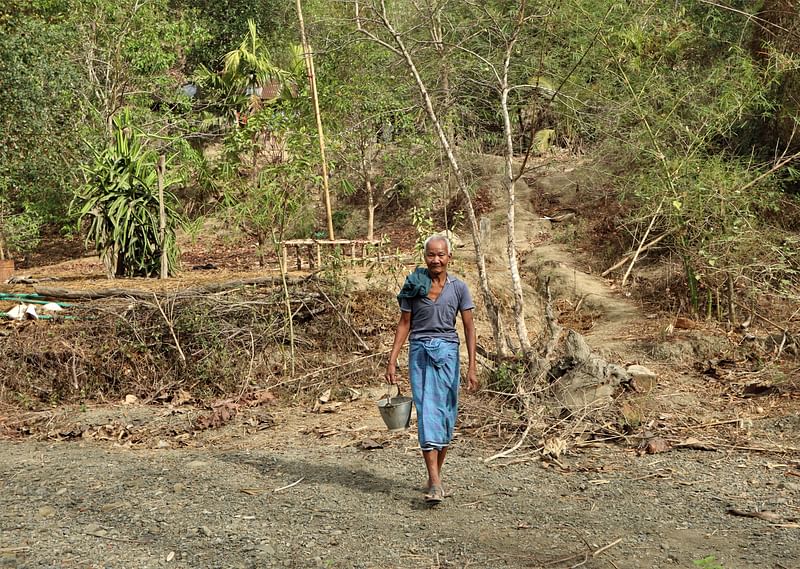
(120, 201)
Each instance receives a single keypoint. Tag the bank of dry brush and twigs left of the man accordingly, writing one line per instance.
(208, 345)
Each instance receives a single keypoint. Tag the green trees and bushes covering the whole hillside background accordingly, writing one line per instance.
(688, 100)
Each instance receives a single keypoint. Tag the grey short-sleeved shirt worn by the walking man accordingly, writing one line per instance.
(437, 318)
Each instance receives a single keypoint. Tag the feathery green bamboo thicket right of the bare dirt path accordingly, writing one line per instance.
(690, 100)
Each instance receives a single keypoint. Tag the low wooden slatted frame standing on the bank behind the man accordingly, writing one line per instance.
(310, 253)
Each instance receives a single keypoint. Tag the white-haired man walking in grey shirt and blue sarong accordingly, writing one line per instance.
(429, 302)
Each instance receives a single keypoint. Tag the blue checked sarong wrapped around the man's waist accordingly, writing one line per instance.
(433, 367)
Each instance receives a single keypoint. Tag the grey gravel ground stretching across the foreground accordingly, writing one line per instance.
(232, 504)
